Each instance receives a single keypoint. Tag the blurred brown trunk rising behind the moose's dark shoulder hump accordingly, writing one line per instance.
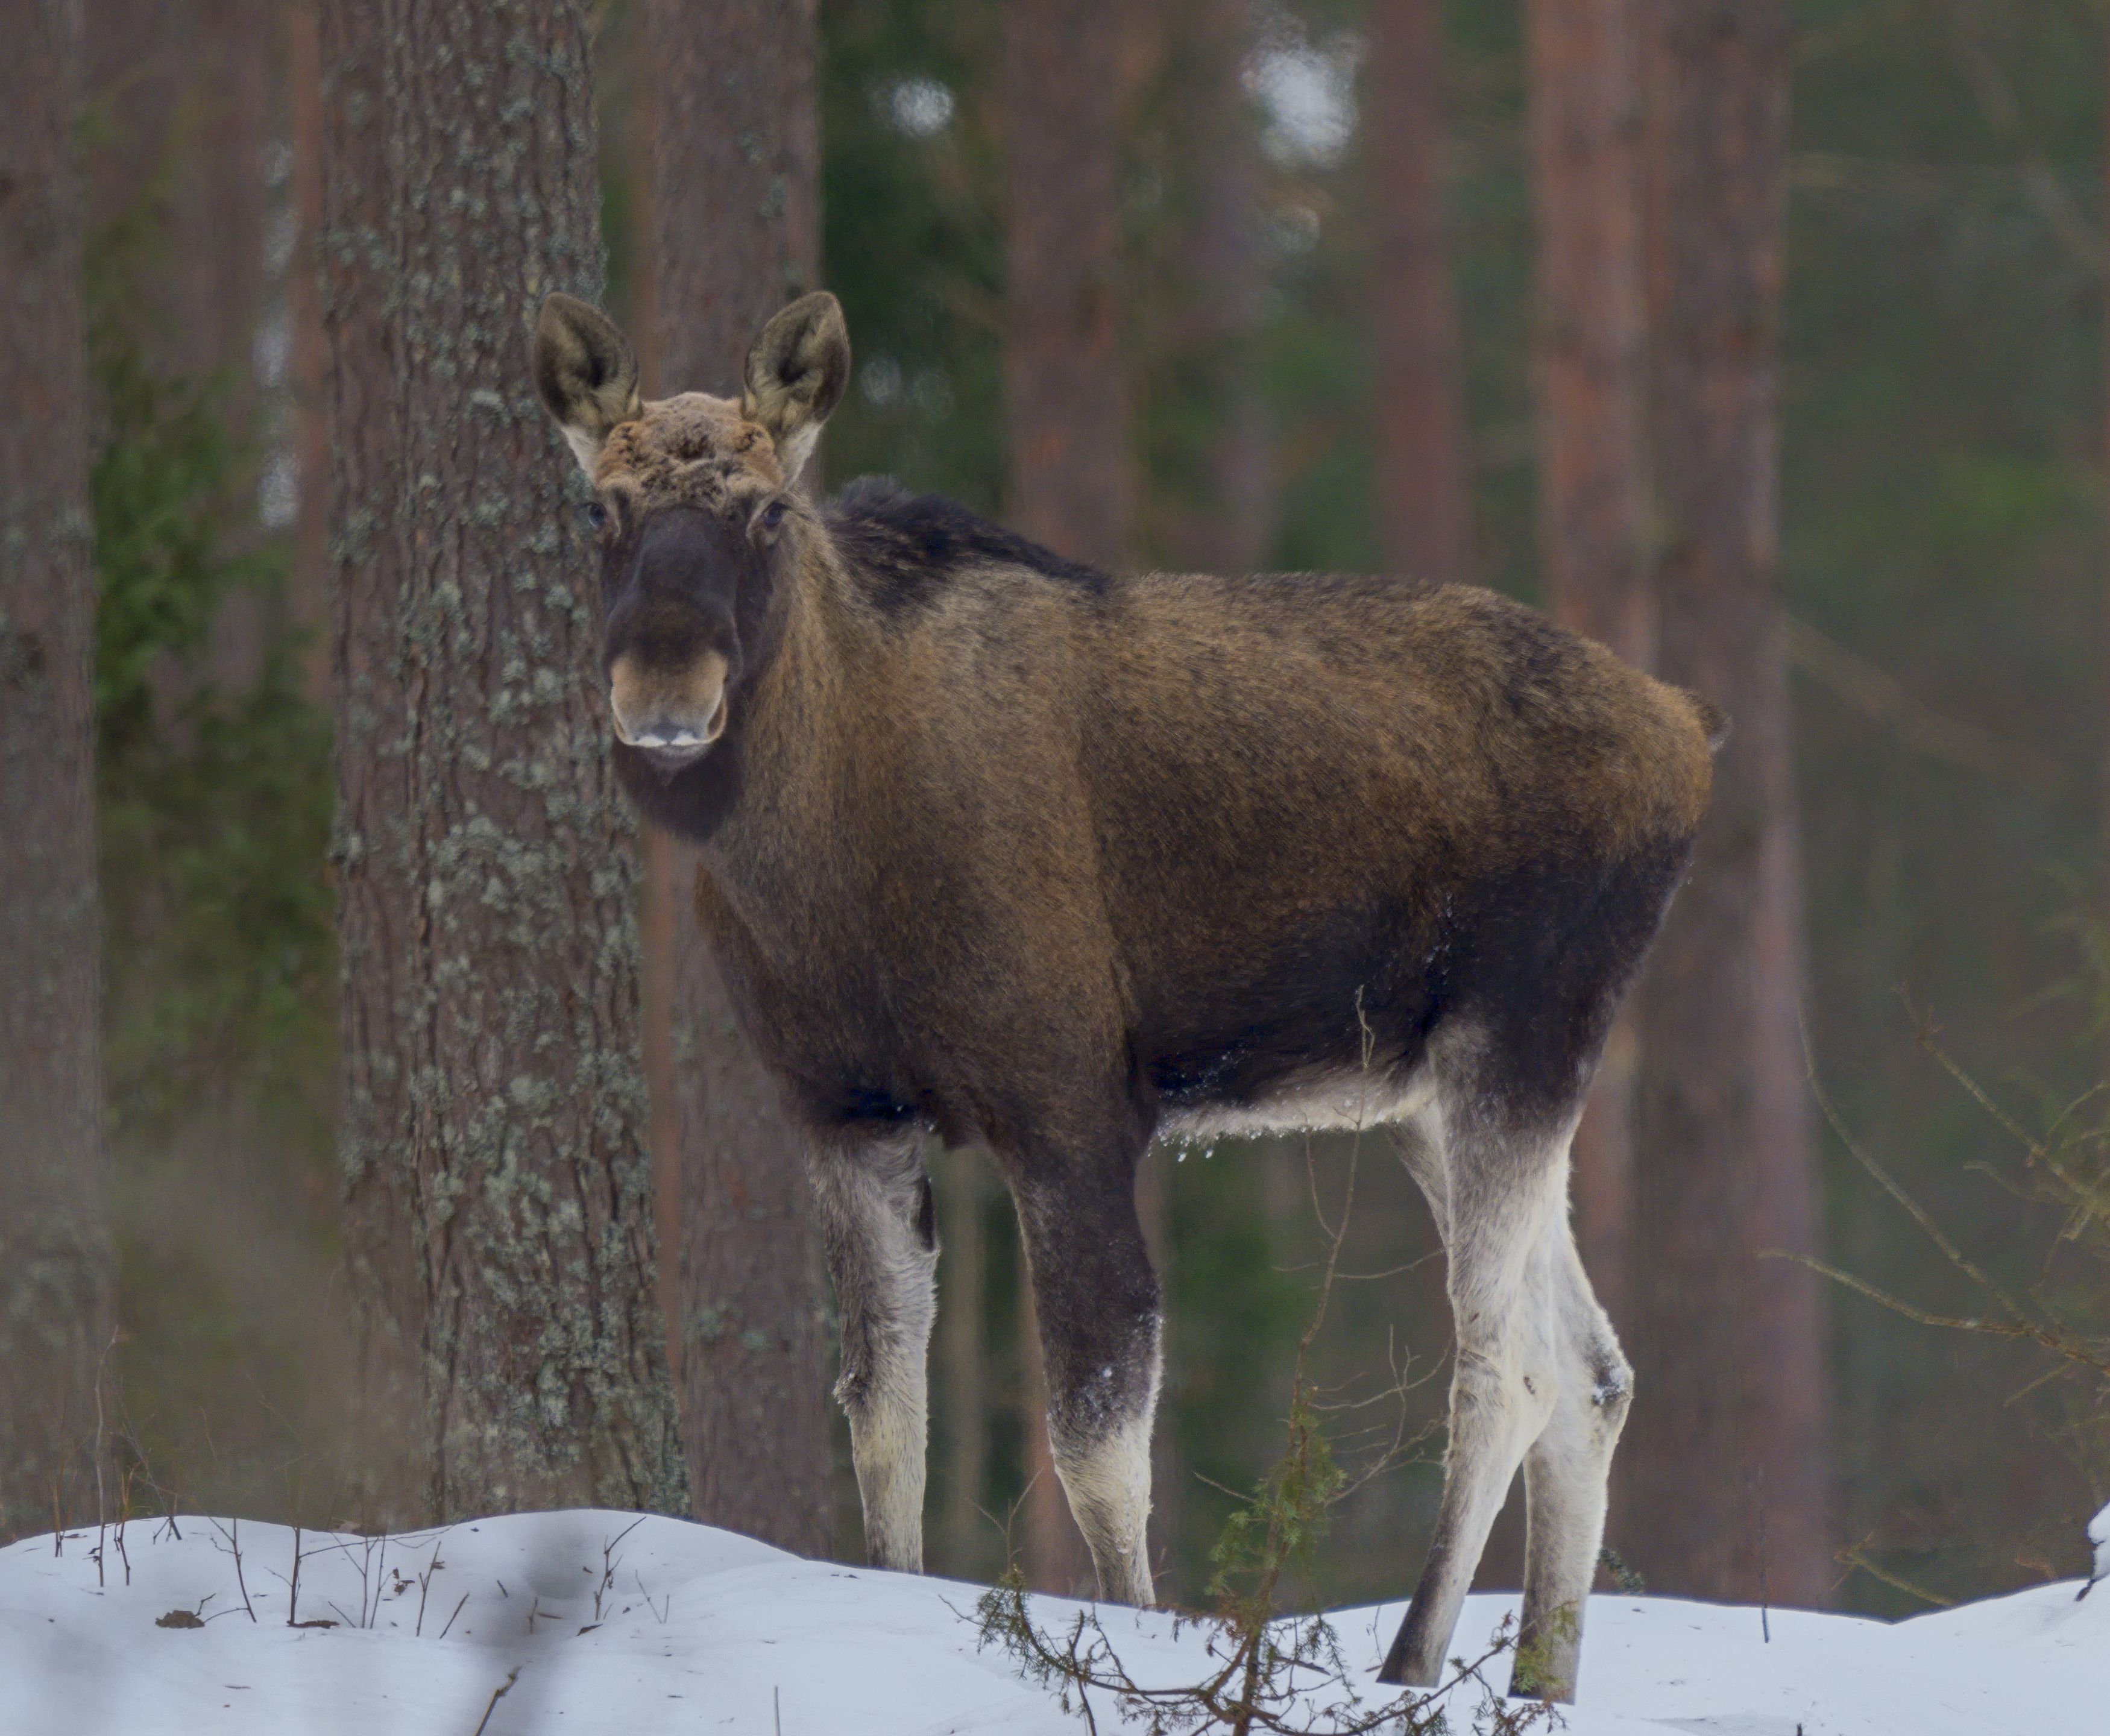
(1067, 429)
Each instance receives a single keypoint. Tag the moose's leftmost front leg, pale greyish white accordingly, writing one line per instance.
(881, 1233)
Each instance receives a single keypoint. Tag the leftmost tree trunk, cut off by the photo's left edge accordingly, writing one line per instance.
(56, 1271)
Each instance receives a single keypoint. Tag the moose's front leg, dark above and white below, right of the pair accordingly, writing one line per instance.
(1100, 1343)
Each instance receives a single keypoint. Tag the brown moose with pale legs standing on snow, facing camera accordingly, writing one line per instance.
(1056, 860)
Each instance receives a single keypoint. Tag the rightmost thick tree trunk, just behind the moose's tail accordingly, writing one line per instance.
(1729, 1444)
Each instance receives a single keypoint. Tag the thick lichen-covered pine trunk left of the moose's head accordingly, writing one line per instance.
(499, 1214)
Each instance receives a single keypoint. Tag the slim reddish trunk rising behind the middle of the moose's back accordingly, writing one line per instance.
(1425, 495)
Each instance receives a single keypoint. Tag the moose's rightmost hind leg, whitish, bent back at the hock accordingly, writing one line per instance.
(1567, 1475)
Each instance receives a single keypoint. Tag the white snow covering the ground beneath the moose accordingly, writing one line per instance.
(708, 1632)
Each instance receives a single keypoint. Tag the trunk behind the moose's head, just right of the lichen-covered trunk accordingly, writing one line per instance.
(735, 235)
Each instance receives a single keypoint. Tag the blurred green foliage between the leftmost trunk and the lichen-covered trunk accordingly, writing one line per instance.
(214, 807)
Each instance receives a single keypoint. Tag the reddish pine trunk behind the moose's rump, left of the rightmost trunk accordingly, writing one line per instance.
(1592, 393)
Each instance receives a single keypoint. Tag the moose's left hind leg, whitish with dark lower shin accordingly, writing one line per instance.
(1501, 1195)
